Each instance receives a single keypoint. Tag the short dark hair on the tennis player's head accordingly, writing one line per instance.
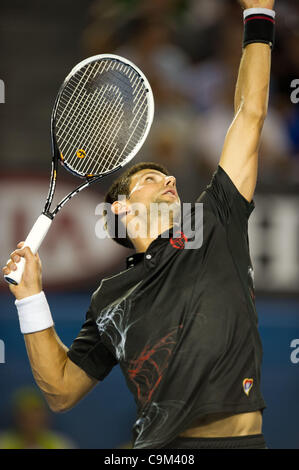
(121, 186)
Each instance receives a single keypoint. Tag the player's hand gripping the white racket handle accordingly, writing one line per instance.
(31, 282)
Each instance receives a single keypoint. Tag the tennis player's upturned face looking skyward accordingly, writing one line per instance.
(151, 186)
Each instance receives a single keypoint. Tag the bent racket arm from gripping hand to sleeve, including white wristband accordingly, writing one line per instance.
(61, 380)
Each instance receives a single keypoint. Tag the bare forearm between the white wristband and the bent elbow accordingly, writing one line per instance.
(48, 357)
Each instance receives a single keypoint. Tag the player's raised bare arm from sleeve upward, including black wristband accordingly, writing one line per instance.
(239, 158)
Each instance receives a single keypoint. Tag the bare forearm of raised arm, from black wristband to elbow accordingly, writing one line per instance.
(252, 89)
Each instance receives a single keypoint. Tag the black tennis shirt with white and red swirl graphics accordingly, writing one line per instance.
(181, 323)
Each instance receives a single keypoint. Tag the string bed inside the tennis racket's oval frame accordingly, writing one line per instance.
(104, 120)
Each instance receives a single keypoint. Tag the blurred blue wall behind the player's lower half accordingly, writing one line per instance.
(104, 418)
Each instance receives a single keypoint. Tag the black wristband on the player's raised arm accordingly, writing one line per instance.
(259, 28)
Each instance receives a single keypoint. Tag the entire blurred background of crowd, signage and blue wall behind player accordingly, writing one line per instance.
(190, 51)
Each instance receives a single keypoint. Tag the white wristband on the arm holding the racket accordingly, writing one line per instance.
(34, 313)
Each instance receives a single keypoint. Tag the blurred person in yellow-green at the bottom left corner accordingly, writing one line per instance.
(31, 425)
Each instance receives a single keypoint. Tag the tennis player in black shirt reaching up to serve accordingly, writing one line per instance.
(181, 322)
